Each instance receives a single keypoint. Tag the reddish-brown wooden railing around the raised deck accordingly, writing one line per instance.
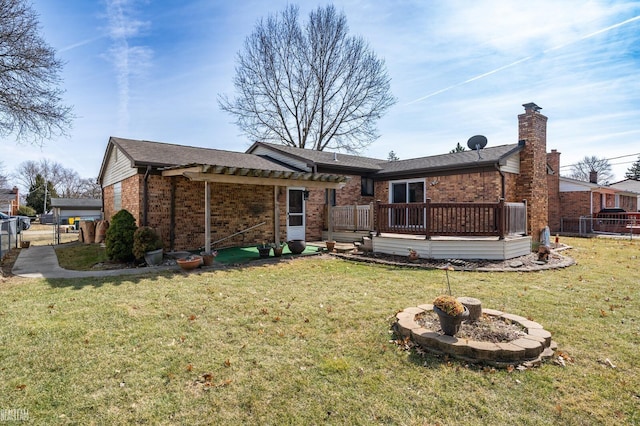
(451, 219)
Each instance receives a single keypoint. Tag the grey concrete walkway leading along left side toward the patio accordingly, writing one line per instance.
(42, 262)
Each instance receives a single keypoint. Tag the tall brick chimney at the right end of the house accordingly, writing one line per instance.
(531, 183)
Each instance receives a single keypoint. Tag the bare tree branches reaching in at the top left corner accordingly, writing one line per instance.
(30, 99)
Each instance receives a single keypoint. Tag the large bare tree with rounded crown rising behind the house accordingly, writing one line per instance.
(309, 87)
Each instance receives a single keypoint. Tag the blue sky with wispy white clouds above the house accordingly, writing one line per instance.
(151, 69)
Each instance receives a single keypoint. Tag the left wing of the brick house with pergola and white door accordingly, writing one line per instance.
(175, 188)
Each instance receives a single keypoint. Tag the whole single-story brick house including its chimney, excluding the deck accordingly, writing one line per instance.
(275, 192)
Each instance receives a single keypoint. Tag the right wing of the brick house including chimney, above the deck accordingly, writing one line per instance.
(513, 172)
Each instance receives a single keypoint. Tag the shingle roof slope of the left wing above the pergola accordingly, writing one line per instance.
(159, 154)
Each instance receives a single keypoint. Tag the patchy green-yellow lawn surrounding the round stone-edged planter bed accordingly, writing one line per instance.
(308, 342)
